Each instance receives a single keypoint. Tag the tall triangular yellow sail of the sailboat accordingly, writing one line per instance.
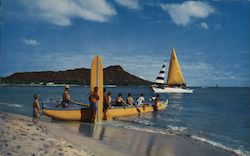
(175, 77)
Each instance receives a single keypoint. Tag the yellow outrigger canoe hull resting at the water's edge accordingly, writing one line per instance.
(85, 114)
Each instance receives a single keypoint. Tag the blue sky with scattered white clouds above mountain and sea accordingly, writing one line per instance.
(211, 38)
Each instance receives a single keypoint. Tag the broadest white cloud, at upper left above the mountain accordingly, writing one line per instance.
(61, 12)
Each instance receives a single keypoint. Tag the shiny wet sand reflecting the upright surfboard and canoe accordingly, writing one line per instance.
(141, 143)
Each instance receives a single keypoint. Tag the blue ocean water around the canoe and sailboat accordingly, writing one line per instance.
(217, 116)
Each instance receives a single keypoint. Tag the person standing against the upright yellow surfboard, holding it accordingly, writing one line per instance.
(93, 99)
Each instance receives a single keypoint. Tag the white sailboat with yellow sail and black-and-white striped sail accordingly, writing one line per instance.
(175, 82)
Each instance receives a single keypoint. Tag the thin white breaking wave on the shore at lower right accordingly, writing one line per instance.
(219, 145)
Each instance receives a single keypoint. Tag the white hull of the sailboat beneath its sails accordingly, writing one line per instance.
(171, 90)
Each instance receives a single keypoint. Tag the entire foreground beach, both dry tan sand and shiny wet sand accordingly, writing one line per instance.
(19, 136)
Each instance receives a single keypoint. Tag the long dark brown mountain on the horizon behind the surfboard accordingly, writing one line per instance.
(113, 75)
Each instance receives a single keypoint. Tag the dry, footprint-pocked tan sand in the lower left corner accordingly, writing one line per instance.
(19, 136)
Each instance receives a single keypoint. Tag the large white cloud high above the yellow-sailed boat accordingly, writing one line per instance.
(182, 14)
